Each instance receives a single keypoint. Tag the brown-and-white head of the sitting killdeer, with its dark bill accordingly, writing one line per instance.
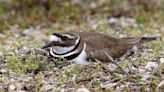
(63, 42)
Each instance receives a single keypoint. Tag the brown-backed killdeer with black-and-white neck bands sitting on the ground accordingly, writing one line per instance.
(79, 47)
